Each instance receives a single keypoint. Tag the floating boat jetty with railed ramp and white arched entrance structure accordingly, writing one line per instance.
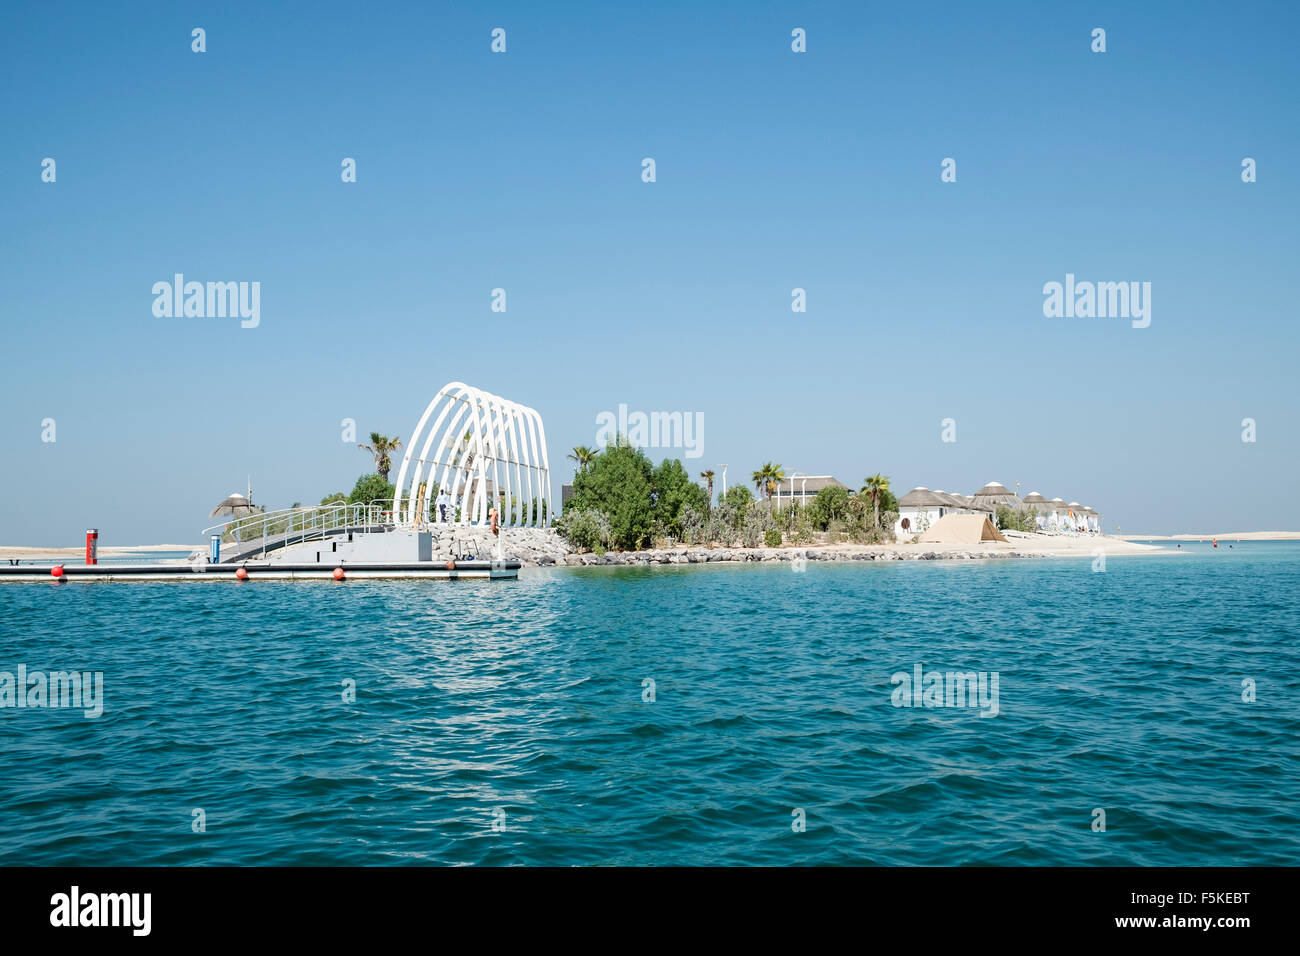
(488, 455)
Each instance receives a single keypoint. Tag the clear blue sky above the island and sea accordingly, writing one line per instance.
(523, 171)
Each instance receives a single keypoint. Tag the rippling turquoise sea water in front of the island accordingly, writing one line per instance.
(509, 723)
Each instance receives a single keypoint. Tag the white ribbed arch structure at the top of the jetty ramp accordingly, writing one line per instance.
(484, 452)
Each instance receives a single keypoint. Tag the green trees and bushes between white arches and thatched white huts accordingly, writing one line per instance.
(622, 501)
